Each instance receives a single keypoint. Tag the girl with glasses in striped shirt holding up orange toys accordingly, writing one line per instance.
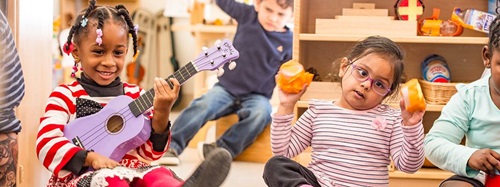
(354, 138)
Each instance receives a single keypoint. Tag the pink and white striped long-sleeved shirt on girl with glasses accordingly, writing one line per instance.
(350, 148)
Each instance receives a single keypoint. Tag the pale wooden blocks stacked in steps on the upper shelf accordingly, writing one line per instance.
(365, 19)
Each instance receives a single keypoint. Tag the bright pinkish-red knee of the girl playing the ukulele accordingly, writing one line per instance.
(159, 177)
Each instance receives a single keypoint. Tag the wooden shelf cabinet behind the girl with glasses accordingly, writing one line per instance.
(320, 51)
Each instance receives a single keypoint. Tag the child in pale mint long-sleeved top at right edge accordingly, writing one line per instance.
(473, 112)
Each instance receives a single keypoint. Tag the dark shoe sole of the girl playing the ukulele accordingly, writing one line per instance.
(212, 171)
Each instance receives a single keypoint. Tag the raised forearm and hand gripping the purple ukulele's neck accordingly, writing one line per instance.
(164, 100)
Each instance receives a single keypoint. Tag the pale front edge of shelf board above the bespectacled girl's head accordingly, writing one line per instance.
(400, 39)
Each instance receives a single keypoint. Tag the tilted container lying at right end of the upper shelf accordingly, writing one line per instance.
(473, 19)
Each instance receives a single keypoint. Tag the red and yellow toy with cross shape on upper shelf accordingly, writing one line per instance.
(409, 9)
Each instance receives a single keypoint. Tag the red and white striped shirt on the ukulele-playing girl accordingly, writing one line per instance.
(54, 150)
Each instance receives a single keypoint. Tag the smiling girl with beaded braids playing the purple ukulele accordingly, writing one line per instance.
(99, 42)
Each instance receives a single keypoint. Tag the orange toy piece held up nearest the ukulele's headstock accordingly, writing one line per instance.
(292, 77)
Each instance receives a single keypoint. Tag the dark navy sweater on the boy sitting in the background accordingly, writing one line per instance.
(261, 52)
